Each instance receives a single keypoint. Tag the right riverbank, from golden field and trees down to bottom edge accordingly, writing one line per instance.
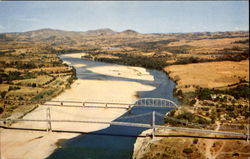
(221, 88)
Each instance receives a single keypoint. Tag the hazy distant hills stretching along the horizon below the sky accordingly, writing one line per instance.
(55, 36)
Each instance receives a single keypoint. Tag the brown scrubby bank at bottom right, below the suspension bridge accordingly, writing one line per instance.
(177, 146)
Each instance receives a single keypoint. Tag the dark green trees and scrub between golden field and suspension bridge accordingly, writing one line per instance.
(216, 105)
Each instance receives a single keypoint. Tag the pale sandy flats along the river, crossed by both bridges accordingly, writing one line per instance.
(24, 144)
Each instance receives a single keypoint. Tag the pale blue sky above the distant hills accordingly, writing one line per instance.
(141, 16)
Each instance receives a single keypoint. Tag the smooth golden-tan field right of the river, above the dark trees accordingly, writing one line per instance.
(208, 75)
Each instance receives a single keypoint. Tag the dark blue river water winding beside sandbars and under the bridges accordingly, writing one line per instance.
(115, 142)
